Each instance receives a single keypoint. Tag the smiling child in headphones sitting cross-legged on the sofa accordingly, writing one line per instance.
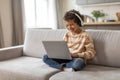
(79, 43)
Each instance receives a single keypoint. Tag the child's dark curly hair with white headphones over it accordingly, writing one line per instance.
(74, 15)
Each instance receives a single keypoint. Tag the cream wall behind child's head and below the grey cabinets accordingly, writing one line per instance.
(110, 9)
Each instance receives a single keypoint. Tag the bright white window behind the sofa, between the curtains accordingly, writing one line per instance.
(36, 14)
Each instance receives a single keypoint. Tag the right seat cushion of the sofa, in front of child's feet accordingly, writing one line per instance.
(91, 72)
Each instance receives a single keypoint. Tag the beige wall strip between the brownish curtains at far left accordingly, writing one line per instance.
(6, 21)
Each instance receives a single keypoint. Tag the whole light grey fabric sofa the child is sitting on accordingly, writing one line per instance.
(25, 62)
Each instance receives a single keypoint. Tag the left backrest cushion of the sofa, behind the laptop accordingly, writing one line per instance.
(33, 40)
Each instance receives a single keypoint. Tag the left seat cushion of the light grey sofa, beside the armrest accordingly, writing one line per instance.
(25, 68)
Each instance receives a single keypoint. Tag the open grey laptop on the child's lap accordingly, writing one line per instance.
(57, 49)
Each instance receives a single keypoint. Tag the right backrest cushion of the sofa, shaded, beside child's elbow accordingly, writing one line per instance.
(107, 46)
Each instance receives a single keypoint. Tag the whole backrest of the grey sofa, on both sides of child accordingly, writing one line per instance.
(107, 44)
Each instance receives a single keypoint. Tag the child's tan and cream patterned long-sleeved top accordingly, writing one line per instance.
(81, 43)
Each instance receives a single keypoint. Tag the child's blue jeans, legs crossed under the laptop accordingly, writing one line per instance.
(76, 63)
